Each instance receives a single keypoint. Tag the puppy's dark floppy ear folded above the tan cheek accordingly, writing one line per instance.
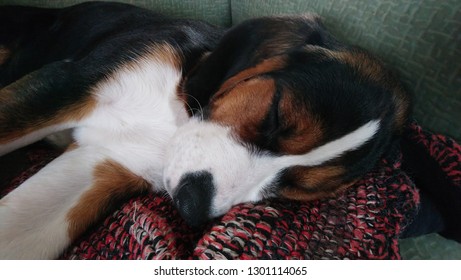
(247, 45)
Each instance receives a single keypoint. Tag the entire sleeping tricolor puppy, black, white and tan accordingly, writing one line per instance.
(279, 108)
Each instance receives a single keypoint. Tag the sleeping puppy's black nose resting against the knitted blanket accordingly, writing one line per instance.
(193, 197)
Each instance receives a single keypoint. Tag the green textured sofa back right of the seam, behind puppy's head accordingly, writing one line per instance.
(419, 39)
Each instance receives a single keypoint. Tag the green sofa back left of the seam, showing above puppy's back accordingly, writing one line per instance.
(214, 11)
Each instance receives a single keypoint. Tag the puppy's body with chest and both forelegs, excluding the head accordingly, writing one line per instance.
(112, 73)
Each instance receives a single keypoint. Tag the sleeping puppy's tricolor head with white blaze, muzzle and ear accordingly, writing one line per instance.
(284, 110)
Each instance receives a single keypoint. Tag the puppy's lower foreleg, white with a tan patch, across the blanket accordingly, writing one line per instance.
(46, 213)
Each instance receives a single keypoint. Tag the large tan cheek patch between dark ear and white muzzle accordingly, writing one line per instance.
(244, 107)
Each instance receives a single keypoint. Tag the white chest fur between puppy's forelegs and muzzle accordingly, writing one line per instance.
(137, 113)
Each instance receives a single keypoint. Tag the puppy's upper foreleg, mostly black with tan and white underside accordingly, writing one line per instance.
(48, 100)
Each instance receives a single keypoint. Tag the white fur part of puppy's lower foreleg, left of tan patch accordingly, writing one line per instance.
(33, 221)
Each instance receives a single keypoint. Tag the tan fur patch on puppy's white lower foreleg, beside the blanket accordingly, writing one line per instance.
(112, 182)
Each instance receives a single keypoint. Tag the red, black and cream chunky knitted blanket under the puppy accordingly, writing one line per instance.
(363, 223)
